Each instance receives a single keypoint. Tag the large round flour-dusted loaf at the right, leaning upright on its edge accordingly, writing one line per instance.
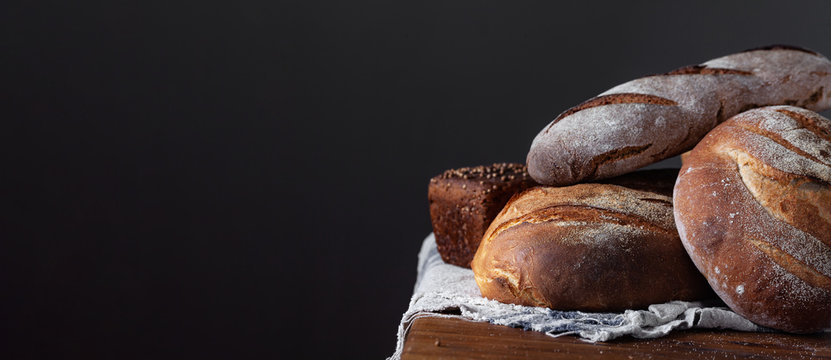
(753, 208)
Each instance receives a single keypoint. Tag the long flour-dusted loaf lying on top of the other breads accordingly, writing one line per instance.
(657, 117)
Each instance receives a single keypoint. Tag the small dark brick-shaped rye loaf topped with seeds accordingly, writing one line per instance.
(463, 202)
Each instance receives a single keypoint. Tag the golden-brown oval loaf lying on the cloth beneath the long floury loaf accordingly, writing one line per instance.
(590, 247)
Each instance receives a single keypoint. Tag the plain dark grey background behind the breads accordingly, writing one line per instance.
(248, 179)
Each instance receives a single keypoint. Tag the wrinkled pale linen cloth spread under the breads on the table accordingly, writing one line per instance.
(444, 290)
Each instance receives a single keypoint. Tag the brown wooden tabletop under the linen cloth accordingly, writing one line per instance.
(442, 338)
